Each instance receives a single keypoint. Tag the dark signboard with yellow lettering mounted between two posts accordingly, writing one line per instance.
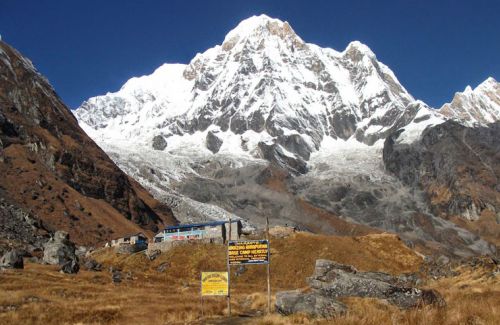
(248, 252)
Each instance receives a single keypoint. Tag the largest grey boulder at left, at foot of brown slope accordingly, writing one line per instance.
(59, 250)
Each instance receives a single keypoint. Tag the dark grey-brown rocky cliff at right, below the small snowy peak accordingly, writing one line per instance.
(458, 167)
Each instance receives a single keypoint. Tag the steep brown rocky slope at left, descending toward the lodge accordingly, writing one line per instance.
(50, 167)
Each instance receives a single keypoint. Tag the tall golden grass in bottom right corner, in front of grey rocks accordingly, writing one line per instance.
(473, 297)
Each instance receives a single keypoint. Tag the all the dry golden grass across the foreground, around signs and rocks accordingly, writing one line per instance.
(41, 295)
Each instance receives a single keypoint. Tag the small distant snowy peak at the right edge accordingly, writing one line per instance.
(480, 105)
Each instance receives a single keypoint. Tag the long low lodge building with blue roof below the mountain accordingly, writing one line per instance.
(214, 231)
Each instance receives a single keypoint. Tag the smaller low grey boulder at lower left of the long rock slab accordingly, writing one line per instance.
(312, 304)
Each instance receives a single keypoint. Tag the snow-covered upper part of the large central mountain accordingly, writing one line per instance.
(263, 88)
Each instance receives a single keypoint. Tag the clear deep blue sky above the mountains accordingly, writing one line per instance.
(90, 47)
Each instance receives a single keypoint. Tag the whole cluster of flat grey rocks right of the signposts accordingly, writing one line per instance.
(332, 280)
